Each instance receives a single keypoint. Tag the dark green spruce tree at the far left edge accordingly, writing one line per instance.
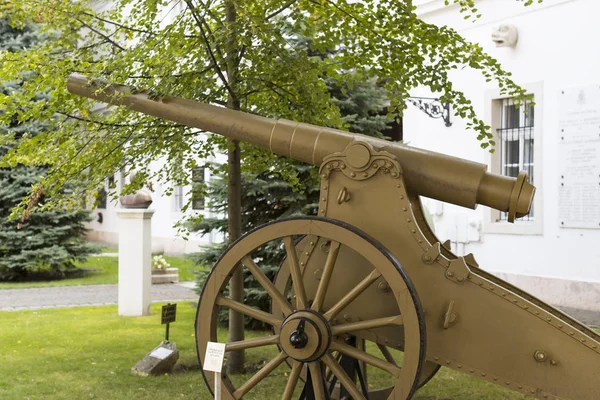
(46, 243)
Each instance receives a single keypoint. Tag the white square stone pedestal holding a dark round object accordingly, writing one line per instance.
(135, 261)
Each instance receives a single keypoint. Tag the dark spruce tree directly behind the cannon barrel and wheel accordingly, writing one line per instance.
(268, 197)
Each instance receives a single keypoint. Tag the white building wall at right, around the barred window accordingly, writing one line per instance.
(557, 49)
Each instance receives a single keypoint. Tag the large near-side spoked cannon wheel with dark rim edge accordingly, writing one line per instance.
(318, 326)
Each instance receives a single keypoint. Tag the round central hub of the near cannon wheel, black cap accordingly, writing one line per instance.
(305, 335)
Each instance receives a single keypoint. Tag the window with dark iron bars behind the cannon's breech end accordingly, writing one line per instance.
(516, 142)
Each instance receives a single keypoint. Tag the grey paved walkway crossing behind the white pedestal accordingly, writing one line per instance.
(92, 295)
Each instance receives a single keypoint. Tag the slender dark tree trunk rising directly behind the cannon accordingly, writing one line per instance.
(235, 359)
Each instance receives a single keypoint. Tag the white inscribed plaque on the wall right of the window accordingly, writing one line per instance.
(579, 157)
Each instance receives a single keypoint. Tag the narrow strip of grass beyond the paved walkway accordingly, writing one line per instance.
(104, 270)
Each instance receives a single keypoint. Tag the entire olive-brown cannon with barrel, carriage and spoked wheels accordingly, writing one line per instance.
(367, 302)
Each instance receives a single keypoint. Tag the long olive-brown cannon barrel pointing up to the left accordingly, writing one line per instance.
(429, 174)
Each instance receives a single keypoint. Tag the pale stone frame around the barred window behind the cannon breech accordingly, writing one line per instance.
(492, 222)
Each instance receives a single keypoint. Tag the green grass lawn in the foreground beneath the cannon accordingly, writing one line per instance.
(87, 353)
